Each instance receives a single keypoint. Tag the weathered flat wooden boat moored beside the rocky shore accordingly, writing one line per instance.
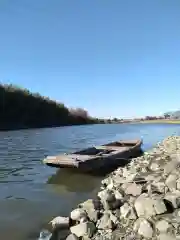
(98, 157)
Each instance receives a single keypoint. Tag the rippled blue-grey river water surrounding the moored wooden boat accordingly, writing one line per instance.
(31, 193)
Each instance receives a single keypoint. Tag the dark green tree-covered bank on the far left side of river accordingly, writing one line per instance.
(22, 109)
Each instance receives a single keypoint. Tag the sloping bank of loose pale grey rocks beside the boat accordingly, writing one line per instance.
(138, 201)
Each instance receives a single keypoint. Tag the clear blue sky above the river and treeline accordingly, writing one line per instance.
(114, 58)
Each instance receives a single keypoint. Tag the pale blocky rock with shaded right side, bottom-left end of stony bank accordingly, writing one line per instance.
(83, 229)
